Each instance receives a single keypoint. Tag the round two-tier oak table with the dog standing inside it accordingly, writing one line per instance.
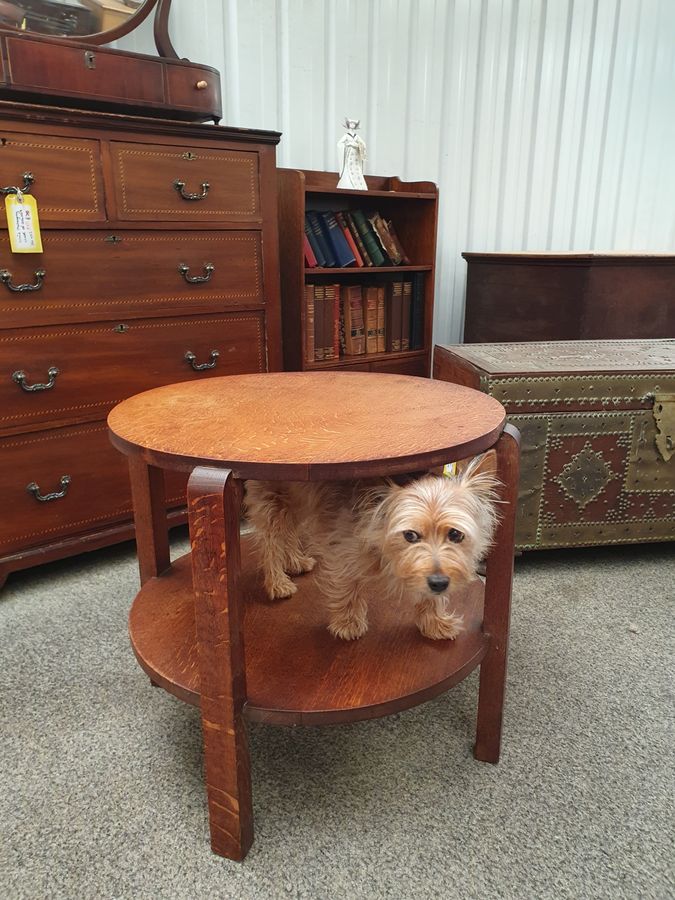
(202, 627)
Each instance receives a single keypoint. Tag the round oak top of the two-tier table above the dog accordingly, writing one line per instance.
(307, 426)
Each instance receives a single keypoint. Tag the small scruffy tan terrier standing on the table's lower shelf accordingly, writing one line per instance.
(377, 539)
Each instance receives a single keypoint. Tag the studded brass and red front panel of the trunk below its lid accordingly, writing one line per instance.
(590, 478)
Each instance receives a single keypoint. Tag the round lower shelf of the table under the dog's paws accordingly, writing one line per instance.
(297, 673)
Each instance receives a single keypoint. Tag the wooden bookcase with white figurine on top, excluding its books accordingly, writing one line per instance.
(413, 208)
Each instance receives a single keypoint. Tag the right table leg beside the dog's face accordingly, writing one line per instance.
(498, 581)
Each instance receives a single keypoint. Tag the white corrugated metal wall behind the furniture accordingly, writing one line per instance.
(547, 124)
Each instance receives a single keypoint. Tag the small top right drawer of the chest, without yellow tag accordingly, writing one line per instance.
(166, 182)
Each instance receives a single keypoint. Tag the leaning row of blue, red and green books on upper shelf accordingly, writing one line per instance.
(351, 237)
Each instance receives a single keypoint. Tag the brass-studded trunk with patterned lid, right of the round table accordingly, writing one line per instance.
(597, 420)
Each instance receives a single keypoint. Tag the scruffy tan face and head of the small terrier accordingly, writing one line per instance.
(434, 531)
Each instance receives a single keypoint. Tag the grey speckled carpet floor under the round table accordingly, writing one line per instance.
(101, 791)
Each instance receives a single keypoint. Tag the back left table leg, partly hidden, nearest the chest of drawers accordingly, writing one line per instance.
(152, 532)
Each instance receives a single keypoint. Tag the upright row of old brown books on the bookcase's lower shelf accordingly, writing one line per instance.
(355, 319)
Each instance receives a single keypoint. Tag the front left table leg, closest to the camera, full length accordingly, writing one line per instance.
(214, 503)
